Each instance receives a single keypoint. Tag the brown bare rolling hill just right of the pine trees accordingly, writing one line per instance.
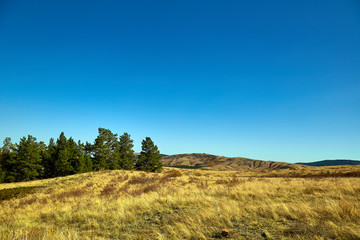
(213, 162)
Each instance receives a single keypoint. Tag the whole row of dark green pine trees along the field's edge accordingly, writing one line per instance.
(30, 159)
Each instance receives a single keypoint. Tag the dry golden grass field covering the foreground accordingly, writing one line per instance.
(184, 204)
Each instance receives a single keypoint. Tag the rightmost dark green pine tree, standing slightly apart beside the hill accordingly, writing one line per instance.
(149, 159)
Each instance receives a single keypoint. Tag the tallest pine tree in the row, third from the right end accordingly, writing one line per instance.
(104, 150)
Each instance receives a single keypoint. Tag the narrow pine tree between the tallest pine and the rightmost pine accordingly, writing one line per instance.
(126, 152)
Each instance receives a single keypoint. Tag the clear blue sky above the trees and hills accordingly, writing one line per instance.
(271, 80)
